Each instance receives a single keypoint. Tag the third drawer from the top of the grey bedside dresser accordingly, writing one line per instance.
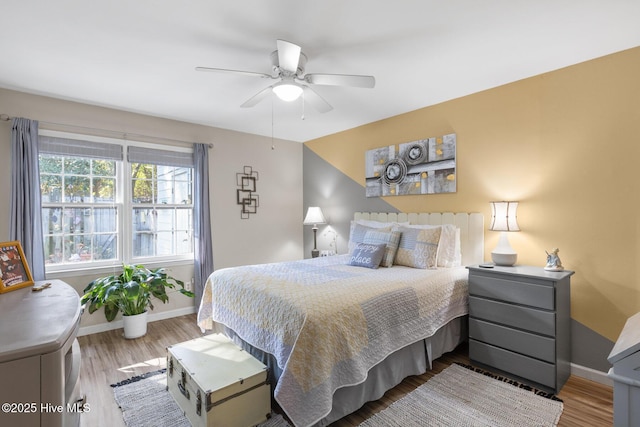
(532, 345)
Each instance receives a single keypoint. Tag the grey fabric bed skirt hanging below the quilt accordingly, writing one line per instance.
(411, 360)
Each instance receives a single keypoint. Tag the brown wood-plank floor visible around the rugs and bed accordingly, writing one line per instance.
(108, 358)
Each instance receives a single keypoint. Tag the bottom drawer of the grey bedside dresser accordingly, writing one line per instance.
(517, 364)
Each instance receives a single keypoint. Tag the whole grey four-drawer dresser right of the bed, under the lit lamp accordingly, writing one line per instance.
(520, 323)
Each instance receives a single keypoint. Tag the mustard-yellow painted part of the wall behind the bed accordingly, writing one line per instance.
(566, 145)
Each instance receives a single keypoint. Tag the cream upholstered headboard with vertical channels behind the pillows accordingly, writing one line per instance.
(471, 227)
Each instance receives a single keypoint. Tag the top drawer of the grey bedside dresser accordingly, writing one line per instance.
(515, 291)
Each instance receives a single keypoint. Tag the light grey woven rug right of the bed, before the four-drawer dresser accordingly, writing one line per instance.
(464, 396)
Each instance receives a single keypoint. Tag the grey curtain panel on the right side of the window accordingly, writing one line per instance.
(203, 245)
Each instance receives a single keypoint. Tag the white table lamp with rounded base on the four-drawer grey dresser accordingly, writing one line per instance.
(504, 220)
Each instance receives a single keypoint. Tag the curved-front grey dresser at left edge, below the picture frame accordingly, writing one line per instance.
(40, 357)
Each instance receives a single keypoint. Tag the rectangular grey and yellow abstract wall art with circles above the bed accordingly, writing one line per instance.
(426, 166)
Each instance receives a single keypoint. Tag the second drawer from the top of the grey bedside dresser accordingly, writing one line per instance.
(529, 319)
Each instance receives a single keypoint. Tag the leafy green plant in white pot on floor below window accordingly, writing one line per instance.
(131, 292)
